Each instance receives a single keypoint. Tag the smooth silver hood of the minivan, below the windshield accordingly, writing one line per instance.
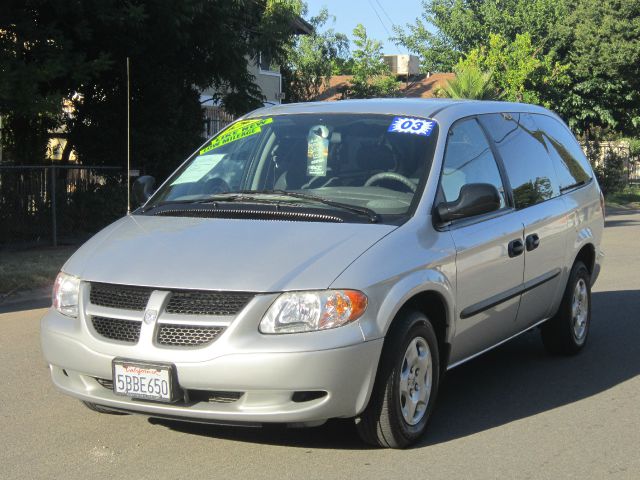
(222, 254)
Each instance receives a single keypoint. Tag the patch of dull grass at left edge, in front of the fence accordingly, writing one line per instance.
(30, 269)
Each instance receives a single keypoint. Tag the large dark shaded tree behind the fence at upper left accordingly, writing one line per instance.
(55, 50)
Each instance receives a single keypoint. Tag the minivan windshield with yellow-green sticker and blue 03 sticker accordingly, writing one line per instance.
(372, 163)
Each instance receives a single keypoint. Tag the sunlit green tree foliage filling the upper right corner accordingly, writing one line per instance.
(585, 61)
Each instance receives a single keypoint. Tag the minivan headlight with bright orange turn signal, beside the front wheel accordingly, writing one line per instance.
(294, 312)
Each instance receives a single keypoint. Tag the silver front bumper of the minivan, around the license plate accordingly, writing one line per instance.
(266, 379)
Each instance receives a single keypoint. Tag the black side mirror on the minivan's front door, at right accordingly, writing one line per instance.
(474, 199)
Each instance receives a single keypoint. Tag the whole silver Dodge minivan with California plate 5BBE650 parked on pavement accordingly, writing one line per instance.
(332, 260)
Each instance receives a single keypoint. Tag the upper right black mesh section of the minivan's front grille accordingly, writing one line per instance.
(207, 303)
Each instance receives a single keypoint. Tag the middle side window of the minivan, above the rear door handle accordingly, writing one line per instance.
(523, 150)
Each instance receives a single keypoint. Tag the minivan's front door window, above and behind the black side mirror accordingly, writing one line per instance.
(468, 159)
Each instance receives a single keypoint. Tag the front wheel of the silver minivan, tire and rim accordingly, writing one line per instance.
(387, 420)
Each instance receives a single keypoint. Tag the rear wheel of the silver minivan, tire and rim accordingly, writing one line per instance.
(566, 333)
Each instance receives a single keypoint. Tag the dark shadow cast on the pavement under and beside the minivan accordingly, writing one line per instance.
(514, 381)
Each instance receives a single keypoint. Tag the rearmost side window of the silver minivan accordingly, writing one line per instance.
(571, 164)
